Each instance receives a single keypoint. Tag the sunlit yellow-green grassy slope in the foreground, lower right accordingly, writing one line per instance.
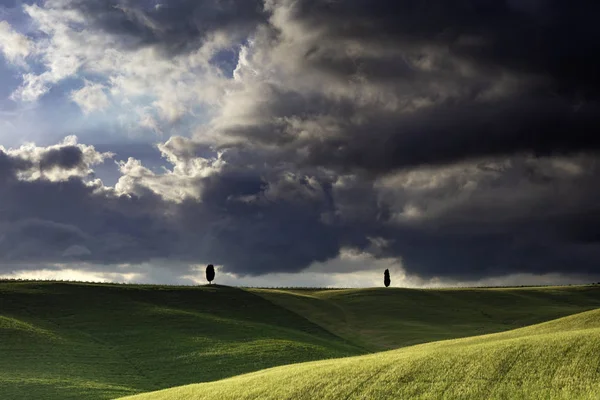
(553, 360)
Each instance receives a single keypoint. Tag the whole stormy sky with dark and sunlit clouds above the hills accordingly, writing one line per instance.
(301, 142)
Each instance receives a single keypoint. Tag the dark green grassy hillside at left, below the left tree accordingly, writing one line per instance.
(78, 341)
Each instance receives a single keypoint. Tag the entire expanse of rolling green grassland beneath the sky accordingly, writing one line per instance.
(101, 341)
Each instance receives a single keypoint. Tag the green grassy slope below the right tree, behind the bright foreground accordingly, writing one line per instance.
(382, 319)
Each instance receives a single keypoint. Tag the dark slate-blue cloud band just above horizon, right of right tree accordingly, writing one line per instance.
(471, 249)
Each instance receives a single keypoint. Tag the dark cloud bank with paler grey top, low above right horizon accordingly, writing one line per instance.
(527, 218)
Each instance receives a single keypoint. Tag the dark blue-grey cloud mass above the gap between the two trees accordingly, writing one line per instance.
(251, 232)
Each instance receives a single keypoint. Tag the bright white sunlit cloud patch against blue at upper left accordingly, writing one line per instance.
(133, 77)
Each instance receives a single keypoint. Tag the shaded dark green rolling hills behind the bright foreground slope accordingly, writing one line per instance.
(100, 341)
